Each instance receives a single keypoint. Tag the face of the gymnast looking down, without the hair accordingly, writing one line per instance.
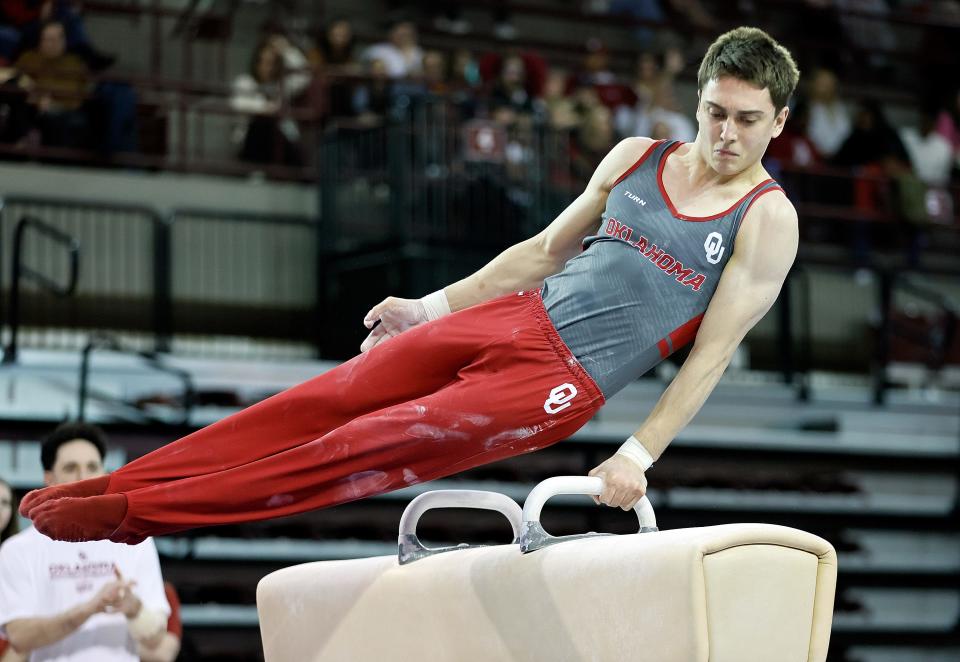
(736, 123)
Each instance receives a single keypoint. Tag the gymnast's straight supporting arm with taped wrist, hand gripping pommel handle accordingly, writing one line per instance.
(765, 249)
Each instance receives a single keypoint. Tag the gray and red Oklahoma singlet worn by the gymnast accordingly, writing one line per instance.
(640, 287)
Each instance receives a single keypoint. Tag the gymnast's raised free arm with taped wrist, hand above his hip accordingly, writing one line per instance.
(523, 266)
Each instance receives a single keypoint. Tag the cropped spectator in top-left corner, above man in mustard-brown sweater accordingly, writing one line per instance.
(21, 22)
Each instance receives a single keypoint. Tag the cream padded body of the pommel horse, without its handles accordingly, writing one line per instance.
(731, 593)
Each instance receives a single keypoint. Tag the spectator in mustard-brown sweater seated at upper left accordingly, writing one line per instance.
(60, 84)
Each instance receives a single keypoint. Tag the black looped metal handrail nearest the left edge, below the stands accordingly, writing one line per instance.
(20, 270)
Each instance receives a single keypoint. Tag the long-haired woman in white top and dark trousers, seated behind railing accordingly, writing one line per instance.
(278, 74)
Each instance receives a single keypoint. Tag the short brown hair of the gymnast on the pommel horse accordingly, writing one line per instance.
(755, 57)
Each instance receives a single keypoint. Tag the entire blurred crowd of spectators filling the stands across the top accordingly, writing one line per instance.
(297, 81)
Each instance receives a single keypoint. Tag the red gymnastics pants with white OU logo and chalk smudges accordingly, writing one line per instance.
(472, 387)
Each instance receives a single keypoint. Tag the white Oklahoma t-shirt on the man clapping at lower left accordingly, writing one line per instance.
(40, 577)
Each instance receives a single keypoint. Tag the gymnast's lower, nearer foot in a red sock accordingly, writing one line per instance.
(75, 519)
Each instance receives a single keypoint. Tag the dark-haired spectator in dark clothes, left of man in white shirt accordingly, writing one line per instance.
(334, 54)
